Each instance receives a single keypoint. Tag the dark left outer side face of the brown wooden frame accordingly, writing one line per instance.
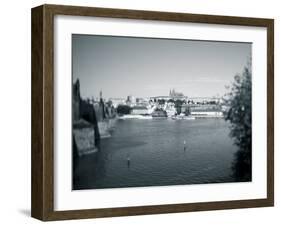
(37, 187)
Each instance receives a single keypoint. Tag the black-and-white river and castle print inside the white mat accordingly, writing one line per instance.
(160, 112)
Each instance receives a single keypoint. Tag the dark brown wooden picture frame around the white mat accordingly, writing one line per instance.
(42, 203)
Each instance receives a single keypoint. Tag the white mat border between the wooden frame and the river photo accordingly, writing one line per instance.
(67, 199)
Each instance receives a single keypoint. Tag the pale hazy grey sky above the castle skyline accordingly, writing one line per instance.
(143, 67)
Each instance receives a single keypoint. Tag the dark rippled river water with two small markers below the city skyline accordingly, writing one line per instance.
(160, 152)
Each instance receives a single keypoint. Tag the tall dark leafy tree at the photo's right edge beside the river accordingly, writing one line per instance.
(239, 115)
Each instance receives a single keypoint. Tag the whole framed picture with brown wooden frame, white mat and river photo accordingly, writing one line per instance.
(142, 112)
